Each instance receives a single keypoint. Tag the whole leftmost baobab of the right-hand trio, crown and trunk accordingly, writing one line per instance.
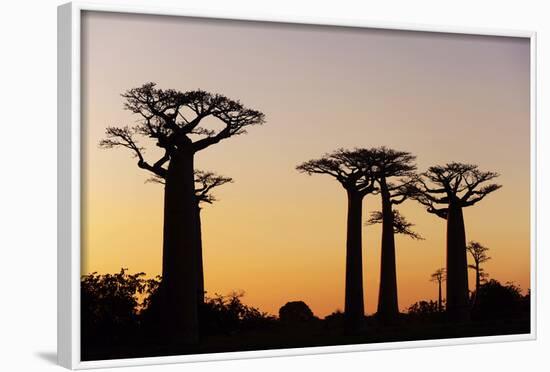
(352, 168)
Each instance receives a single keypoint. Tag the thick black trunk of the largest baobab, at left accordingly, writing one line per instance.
(179, 316)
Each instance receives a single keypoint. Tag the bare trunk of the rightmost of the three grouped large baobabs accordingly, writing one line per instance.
(457, 266)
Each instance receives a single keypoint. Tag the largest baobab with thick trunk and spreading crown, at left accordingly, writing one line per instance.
(175, 121)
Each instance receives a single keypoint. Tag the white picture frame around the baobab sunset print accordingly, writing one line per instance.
(69, 185)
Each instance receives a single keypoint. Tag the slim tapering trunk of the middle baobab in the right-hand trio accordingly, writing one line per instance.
(387, 295)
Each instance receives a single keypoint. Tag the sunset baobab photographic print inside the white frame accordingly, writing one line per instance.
(254, 185)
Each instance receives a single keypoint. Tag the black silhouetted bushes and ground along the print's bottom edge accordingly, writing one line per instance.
(120, 320)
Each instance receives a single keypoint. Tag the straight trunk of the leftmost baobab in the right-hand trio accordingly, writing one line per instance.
(354, 306)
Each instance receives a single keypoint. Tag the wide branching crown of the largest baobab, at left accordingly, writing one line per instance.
(175, 120)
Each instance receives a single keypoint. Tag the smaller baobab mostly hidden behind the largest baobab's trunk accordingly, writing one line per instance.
(205, 182)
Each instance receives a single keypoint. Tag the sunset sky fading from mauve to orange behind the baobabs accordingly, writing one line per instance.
(275, 233)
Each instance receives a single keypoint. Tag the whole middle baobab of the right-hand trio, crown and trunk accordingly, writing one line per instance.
(394, 173)
